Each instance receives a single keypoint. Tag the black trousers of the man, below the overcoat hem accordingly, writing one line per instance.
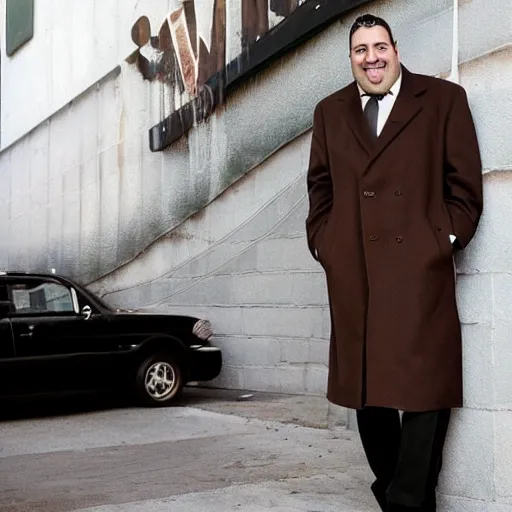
(405, 456)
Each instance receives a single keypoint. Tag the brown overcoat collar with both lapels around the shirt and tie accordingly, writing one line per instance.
(407, 106)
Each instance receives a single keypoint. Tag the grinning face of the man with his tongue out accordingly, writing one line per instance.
(375, 61)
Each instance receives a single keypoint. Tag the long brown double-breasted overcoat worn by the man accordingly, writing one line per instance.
(379, 223)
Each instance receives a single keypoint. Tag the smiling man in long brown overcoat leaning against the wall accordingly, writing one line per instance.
(394, 178)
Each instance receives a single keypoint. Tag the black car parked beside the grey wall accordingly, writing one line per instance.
(56, 336)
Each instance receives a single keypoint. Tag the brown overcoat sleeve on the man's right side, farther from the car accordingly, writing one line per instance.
(463, 175)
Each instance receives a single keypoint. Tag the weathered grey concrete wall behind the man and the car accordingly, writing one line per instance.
(82, 193)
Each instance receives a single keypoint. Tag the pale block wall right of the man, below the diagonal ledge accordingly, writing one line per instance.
(478, 467)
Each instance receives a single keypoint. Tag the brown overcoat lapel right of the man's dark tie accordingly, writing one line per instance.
(407, 106)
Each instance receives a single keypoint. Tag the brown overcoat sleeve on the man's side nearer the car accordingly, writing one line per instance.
(319, 183)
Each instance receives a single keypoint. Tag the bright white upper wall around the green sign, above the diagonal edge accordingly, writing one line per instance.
(74, 45)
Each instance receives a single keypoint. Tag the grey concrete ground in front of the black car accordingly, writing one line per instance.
(212, 452)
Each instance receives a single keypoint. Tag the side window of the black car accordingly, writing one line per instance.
(42, 297)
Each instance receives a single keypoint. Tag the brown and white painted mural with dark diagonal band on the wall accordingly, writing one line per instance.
(189, 51)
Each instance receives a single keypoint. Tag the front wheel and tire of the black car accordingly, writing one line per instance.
(159, 380)
